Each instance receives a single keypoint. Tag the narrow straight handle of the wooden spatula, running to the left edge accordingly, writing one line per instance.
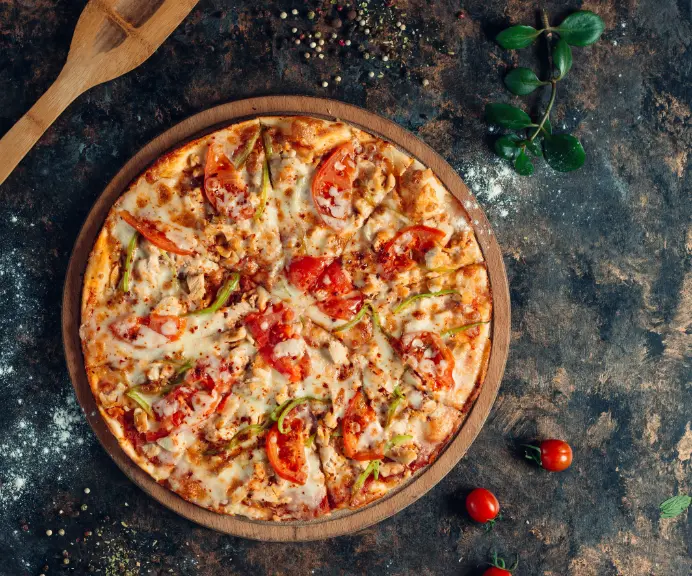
(30, 127)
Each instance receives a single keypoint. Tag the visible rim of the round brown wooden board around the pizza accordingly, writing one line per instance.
(342, 522)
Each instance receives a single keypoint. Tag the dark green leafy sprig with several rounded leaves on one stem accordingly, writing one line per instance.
(562, 152)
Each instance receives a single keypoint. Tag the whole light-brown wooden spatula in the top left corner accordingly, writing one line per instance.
(111, 38)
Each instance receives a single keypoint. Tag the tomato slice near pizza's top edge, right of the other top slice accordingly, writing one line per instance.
(333, 182)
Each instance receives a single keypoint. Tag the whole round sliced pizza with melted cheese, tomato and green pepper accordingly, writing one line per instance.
(284, 318)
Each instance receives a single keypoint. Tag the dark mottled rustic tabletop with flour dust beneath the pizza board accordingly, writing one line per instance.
(598, 262)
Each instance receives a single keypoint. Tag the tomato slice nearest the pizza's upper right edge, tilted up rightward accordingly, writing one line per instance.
(407, 248)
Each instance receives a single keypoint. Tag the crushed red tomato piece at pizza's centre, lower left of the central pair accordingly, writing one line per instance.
(272, 327)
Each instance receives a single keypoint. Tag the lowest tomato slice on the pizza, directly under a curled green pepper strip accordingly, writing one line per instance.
(286, 452)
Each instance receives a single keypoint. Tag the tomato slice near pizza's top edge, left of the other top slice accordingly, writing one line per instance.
(224, 186)
